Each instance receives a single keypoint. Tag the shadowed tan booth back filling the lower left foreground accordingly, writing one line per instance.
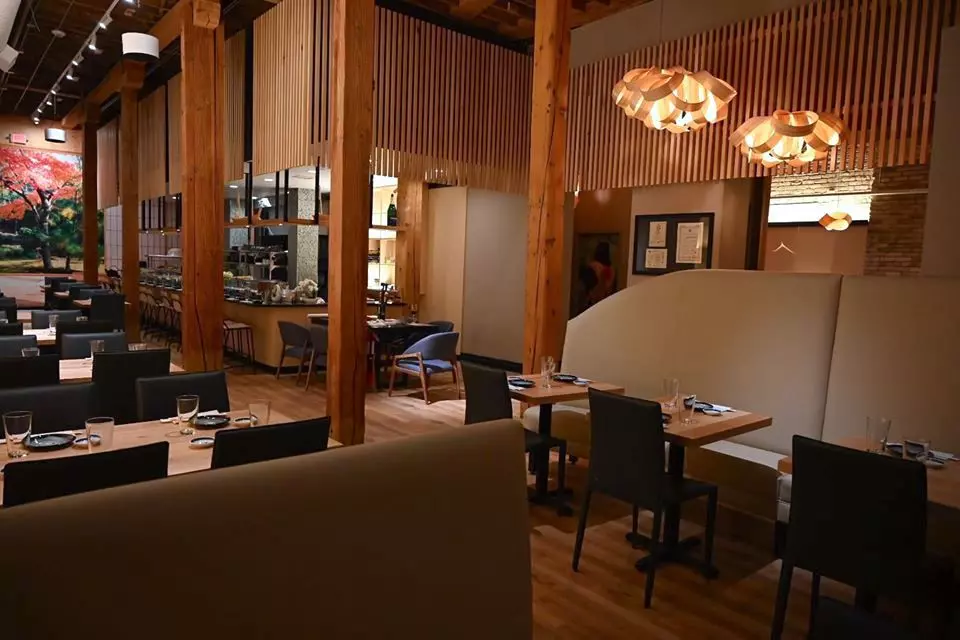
(423, 537)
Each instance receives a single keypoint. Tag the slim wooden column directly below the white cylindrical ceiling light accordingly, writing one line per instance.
(129, 192)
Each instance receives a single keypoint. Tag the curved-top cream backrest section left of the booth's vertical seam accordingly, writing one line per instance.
(753, 340)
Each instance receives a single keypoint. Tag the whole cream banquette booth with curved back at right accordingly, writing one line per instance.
(816, 352)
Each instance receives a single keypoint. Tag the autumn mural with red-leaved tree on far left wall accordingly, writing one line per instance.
(41, 210)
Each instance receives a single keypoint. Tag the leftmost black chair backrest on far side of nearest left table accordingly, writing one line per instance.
(55, 408)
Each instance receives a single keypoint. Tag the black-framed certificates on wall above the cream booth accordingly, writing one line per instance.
(672, 242)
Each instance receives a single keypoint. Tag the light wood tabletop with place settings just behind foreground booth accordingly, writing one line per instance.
(183, 458)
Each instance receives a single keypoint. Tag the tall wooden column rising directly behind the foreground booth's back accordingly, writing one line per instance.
(351, 141)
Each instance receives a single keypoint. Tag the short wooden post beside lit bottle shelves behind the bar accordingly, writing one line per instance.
(411, 204)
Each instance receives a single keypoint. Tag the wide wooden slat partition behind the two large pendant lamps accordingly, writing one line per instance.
(873, 62)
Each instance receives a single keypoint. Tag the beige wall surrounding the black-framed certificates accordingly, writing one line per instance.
(729, 200)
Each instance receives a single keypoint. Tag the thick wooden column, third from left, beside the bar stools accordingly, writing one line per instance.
(201, 145)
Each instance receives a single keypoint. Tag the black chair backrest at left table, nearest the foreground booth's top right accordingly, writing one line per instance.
(232, 447)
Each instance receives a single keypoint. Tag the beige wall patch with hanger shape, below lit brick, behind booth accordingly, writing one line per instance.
(816, 250)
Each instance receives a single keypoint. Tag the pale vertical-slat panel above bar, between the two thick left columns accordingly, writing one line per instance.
(283, 52)
